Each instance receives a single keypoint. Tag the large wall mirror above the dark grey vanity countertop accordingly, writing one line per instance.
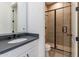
(13, 17)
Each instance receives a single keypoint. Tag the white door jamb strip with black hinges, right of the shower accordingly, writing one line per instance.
(74, 29)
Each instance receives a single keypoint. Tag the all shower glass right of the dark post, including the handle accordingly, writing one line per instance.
(63, 30)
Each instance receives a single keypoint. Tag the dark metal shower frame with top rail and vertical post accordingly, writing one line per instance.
(55, 45)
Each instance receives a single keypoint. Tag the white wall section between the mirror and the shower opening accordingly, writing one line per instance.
(36, 23)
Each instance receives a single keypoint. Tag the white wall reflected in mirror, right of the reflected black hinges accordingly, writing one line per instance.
(22, 17)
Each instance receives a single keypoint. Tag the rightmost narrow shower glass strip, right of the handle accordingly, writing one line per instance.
(67, 34)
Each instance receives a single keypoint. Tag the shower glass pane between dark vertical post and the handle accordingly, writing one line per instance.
(59, 29)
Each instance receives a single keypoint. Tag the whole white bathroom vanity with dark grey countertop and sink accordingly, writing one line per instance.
(19, 45)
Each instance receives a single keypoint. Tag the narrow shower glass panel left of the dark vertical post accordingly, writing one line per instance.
(49, 27)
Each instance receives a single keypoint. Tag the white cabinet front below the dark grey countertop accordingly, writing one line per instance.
(22, 51)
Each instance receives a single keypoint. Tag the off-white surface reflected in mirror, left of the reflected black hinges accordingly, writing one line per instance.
(5, 17)
